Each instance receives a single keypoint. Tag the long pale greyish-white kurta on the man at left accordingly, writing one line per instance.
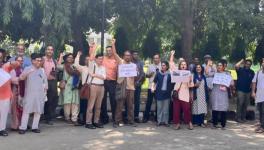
(35, 94)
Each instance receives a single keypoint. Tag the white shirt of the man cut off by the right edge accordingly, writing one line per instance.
(260, 86)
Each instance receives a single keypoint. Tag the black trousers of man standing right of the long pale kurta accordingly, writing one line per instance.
(51, 104)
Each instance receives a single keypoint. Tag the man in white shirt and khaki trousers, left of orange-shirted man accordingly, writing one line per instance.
(97, 76)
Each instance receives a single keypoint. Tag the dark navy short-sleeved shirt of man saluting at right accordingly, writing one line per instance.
(244, 79)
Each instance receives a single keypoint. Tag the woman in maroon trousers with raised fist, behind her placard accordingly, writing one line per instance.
(184, 96)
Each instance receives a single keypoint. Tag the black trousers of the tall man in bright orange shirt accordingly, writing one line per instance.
(110, 87)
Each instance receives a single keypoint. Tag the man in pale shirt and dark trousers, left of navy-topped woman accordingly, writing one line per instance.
(152, 69)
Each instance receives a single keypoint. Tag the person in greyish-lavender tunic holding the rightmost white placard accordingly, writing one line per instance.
(220, 94)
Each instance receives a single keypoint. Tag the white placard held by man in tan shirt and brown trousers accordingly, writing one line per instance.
(127, 70)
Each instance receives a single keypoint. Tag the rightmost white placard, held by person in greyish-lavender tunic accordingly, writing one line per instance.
(222, 79)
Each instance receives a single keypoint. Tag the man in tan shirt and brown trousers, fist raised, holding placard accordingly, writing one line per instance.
(127, 85)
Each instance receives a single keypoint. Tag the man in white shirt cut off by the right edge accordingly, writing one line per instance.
(258, 94)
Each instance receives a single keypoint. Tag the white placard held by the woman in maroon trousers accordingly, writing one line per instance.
(178, 76)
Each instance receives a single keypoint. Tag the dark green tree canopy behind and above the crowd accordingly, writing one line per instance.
(193, 28)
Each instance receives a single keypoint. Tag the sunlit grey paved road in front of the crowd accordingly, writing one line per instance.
(144, 137)
